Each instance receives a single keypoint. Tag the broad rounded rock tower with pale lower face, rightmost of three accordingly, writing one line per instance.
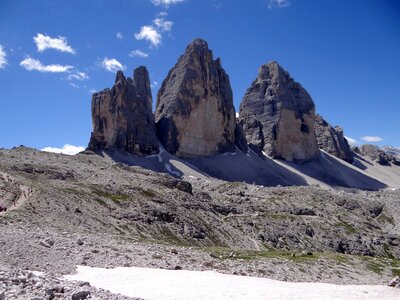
(278, 116)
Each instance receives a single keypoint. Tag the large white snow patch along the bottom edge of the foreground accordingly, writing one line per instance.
(160, 284)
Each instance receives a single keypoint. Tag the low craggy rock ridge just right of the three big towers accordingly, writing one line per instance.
(332, 140)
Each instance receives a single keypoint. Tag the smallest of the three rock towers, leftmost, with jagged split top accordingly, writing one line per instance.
(122, 116)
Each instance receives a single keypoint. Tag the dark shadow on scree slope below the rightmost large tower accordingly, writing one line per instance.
(334, 172)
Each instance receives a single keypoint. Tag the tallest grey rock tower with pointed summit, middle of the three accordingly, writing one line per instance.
(195, 115)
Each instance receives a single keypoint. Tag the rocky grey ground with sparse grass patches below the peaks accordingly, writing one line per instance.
(66, 211)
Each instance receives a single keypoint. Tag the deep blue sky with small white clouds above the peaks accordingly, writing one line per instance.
(54, 53)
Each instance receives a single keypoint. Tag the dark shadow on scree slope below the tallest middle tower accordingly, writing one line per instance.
(248, 168)
